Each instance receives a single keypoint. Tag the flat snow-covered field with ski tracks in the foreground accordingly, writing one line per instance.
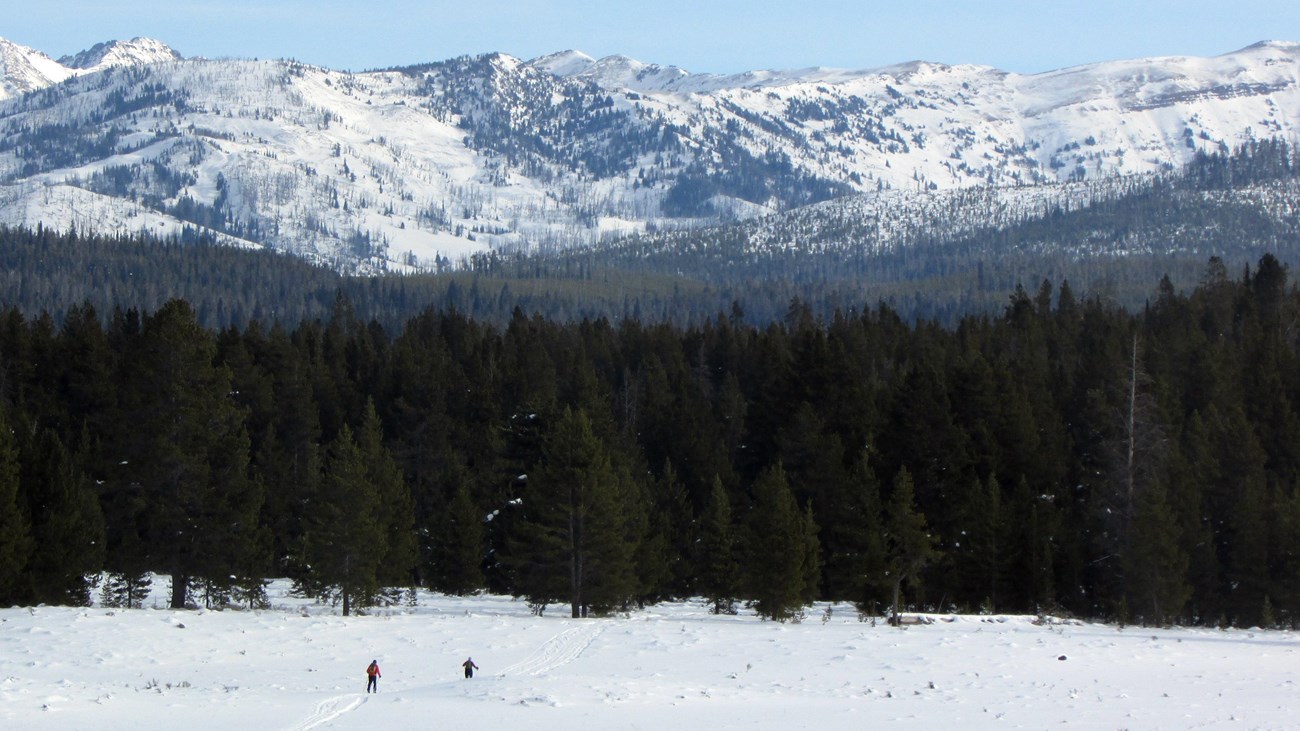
(302, 667)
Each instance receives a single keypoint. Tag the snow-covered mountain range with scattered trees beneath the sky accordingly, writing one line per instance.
(419, 166)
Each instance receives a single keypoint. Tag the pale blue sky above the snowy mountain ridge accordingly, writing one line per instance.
(720, 37)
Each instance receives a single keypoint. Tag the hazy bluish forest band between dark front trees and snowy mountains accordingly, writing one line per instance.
(1229, 206)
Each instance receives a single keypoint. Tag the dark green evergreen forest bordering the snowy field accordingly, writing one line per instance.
(1064, 456)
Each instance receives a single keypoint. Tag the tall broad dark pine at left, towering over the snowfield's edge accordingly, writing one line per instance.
(187, 455)
